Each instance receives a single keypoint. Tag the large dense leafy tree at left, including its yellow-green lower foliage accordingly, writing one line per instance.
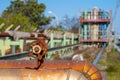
(26, 13)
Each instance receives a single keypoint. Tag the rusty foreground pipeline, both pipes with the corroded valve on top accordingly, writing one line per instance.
(40, 69)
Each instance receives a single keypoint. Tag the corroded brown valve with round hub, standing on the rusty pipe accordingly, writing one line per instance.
(39, 49)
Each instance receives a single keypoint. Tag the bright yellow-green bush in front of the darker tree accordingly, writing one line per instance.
(18, 20)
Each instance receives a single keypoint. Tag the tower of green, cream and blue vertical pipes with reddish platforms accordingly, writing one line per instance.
(95, 27)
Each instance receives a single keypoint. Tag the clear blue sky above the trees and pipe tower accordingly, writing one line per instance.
(69, 7)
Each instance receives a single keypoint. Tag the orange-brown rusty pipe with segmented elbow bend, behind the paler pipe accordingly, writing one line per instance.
(86, 68)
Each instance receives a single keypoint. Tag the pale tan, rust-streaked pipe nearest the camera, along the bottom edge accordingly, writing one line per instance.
(41, 74)
